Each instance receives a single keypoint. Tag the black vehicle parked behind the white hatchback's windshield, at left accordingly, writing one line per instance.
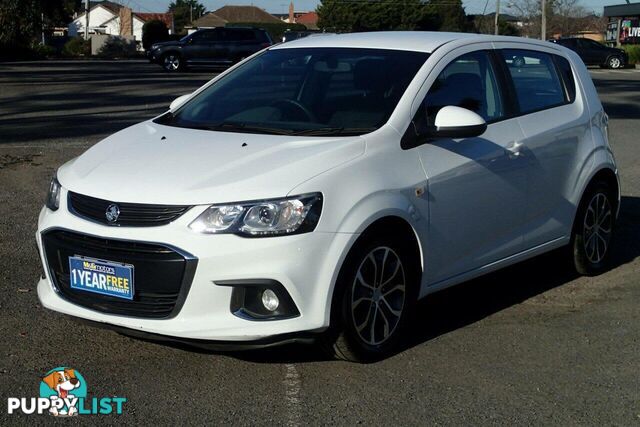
(209, 47)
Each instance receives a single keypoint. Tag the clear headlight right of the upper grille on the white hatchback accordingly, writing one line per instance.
(291, 215)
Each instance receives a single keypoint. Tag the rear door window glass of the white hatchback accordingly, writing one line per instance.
(535, 79)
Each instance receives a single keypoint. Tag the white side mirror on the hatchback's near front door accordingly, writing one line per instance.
(458, 122)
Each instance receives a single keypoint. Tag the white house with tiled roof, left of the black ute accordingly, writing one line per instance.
(112, 19)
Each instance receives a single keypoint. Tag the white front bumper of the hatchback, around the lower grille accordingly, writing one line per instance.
(305, 264)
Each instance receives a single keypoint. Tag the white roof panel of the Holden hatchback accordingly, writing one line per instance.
(419, 41)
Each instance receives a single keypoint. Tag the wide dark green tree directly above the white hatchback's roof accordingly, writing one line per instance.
(379, 15)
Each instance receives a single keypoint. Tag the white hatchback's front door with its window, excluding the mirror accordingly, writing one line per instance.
(476, 187)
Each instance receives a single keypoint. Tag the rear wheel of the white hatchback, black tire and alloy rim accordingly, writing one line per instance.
(593, 230)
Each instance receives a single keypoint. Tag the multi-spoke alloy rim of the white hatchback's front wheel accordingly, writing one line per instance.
(378, 295)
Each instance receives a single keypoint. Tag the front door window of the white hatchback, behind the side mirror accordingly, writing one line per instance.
(469, 82)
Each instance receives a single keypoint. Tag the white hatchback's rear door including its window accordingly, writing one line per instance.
(556, 139)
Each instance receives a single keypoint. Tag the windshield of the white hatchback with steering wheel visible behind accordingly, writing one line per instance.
(304, 91)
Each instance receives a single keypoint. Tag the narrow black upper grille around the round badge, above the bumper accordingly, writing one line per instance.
(131, 214)
